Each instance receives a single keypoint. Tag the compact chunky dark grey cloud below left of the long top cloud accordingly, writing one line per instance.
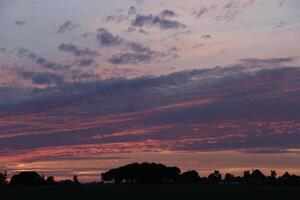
(105, 38)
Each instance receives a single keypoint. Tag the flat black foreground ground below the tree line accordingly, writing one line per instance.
(153, 192)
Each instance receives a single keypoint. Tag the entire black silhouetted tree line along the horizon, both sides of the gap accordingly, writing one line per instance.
(155, 173)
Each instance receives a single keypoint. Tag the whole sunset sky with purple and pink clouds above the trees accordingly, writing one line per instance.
(86, 86)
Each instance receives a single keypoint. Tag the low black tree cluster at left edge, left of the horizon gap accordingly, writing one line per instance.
(32, 178)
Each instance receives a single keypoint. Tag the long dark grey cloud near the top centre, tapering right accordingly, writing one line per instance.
(151, 20)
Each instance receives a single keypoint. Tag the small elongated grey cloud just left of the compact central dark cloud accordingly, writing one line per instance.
(71, 48)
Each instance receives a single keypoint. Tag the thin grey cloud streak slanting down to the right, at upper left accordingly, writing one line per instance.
(41, 60)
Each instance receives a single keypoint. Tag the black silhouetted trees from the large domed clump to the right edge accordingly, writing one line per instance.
(159, 173)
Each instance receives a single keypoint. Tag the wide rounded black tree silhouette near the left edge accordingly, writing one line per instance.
(27, 179)
